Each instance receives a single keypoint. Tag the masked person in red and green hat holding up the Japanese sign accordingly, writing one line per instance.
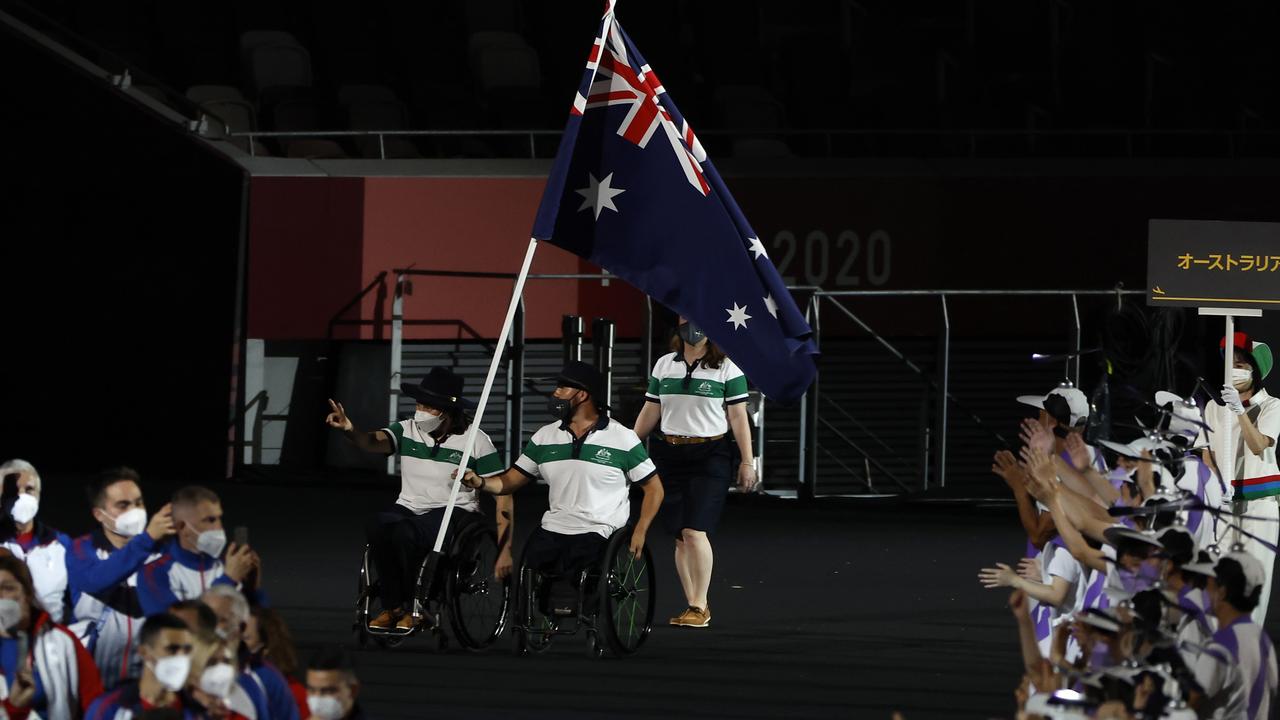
(1252, 420)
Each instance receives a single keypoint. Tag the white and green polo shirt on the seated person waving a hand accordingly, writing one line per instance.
(427, 468)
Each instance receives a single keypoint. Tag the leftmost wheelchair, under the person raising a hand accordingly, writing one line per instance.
(461, 587)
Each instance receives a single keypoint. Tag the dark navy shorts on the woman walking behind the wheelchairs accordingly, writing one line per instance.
(696, 481)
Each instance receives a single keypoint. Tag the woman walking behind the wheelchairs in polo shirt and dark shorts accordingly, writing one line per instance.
(696, 397)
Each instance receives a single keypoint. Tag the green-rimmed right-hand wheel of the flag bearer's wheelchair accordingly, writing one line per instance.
(627, 595)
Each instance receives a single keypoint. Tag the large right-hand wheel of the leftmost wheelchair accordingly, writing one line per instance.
(478, 601)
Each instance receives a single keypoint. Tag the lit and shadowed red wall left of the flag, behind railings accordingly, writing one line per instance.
(317, 243)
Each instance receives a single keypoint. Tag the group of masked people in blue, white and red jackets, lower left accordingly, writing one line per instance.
(148, 616)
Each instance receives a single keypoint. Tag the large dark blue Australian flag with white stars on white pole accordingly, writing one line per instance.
(634, 193)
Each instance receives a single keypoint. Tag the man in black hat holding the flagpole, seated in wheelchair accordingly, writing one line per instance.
(589, 464)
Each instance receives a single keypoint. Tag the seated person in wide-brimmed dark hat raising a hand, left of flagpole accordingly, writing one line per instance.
(429, 448)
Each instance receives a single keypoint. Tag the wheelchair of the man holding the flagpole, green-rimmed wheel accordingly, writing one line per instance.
(612, 603)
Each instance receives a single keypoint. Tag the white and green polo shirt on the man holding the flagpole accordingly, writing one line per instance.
(588, 477)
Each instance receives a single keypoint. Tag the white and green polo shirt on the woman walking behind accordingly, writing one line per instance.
(694, 398)
